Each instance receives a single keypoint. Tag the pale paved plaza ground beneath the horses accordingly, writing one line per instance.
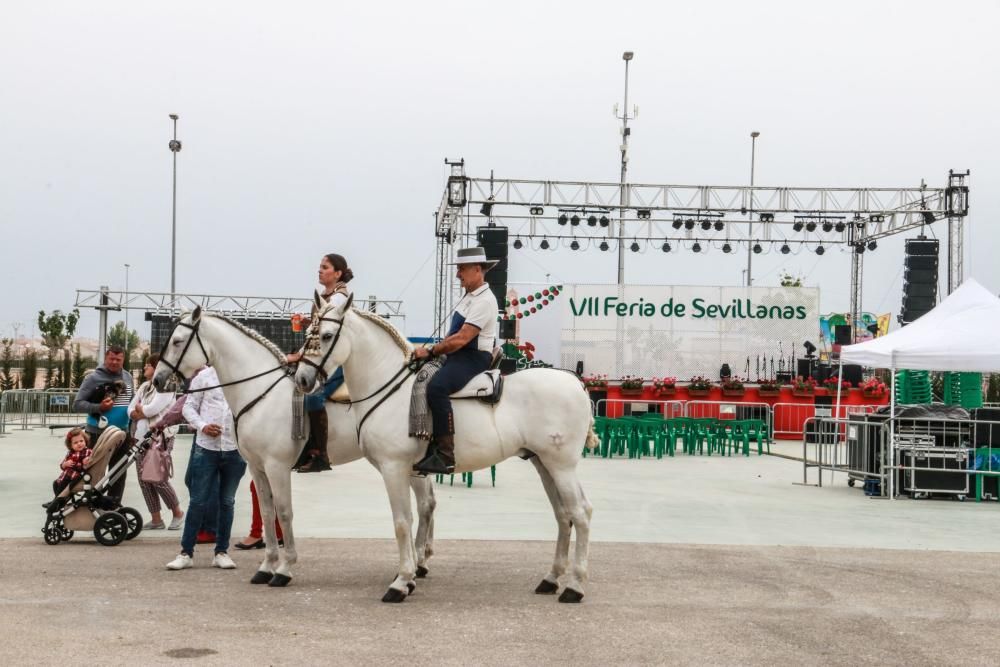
(694, 560)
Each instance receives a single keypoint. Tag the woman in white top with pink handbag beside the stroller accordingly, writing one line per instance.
(154, 465)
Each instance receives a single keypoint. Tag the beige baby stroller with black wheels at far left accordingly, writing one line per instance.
(85, 505)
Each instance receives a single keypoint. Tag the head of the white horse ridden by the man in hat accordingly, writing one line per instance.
(326, 348)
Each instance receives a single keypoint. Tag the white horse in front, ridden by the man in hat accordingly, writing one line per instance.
(544, 414)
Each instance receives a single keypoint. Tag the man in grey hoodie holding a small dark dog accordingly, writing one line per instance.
(108, 409)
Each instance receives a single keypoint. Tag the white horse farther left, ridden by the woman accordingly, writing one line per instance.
(260, 392)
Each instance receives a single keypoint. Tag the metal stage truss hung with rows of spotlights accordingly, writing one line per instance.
(685, 215)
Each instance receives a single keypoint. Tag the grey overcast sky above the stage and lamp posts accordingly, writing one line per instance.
(318, 127)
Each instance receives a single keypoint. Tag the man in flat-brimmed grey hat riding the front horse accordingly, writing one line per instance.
(469, 346)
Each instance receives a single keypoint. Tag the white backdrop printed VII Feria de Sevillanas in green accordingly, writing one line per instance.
(657, 330)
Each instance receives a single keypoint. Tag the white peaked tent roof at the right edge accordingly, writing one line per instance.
(961, 334)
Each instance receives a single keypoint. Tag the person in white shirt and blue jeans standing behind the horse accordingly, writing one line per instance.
(216, 468)
